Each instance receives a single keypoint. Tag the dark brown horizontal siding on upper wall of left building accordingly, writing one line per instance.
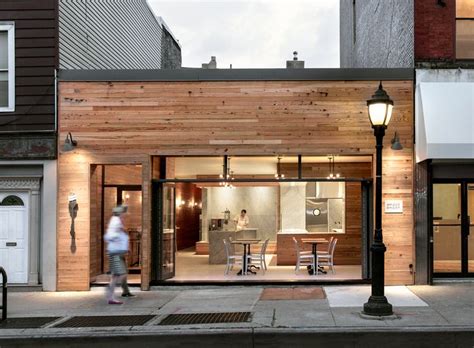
(36, 57)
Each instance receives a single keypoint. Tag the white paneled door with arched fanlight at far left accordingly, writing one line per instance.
(14, 235)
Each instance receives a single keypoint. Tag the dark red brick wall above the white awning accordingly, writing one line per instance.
(435, 30)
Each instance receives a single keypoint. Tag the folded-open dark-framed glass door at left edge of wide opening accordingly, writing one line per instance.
(164, 215)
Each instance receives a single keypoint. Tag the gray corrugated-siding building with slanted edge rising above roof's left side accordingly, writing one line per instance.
(118, 34)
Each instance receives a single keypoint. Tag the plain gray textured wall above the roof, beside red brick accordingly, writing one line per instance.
(376, 33)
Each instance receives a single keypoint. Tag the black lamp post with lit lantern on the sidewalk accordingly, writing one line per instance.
(380, 111)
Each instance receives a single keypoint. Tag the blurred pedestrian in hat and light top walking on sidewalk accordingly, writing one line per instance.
(117, 247)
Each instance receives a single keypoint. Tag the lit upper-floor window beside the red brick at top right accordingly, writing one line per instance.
(464, 29)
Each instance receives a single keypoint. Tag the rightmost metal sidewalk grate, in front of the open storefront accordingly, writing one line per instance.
(206, 318)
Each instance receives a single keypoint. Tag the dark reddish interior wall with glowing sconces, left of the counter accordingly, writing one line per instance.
(187, 215)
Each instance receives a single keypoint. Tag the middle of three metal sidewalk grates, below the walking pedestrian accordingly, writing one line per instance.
(106, 320)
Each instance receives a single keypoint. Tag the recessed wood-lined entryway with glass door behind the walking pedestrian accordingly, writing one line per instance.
(113, 185)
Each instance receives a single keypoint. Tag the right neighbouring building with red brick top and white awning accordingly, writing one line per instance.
(444, 54)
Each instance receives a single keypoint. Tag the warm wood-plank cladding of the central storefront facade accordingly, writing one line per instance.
(118, 119)
